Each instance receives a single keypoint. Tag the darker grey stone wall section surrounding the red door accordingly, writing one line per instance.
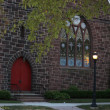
(13, 46)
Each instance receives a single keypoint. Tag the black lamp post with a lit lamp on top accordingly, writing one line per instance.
(95, 57)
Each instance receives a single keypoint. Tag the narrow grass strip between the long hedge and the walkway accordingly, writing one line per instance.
(79, 101)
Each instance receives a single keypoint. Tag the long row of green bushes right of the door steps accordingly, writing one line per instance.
(73, 92)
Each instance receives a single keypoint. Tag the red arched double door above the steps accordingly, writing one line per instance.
(21, 74)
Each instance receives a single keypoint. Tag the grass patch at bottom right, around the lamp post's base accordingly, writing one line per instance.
(100, 107)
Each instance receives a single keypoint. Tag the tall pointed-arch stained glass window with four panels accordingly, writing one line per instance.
(75, 46)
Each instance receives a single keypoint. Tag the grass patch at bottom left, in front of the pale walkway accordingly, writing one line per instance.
(26, 108)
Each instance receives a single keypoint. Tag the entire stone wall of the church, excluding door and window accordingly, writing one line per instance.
(49, 73)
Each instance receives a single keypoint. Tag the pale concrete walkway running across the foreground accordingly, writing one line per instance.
(57, 106)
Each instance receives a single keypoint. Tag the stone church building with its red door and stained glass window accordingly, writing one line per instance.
(68, 63)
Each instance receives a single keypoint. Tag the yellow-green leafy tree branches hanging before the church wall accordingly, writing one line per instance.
(51, 16)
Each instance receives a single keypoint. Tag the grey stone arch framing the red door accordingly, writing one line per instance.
(31, 61)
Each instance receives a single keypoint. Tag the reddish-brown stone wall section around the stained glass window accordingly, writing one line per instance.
(63, 77)
